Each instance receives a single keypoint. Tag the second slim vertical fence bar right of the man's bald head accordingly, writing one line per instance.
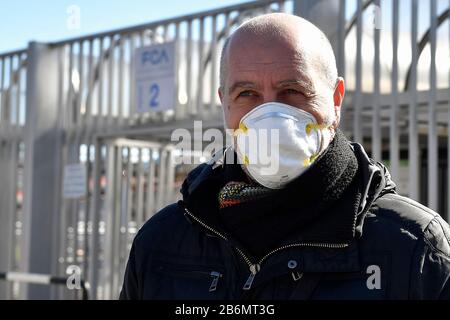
(376, 129)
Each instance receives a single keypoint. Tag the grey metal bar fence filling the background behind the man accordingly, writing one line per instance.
(397, 107)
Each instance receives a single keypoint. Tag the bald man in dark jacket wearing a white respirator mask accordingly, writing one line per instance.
(327, 224)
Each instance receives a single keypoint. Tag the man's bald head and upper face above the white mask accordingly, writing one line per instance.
(280, 58)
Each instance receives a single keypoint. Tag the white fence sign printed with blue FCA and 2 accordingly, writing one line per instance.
(155, 77)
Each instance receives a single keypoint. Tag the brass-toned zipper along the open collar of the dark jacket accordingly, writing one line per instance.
(256, 267)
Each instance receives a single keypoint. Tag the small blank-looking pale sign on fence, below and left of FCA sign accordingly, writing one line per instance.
(75, 181)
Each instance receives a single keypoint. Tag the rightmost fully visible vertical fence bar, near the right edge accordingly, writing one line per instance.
(432, 132)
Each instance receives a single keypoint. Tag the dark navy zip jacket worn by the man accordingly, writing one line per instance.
(401, 250)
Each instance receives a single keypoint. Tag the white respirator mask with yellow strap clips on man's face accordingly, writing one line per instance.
(276, 143)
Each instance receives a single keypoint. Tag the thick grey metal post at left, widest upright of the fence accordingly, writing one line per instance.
(42, 163)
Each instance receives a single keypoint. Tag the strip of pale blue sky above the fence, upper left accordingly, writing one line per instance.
(46, 20)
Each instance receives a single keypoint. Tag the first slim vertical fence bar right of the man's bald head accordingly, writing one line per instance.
(357, 113)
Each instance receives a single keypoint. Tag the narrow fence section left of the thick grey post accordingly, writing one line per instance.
(12, 148)
